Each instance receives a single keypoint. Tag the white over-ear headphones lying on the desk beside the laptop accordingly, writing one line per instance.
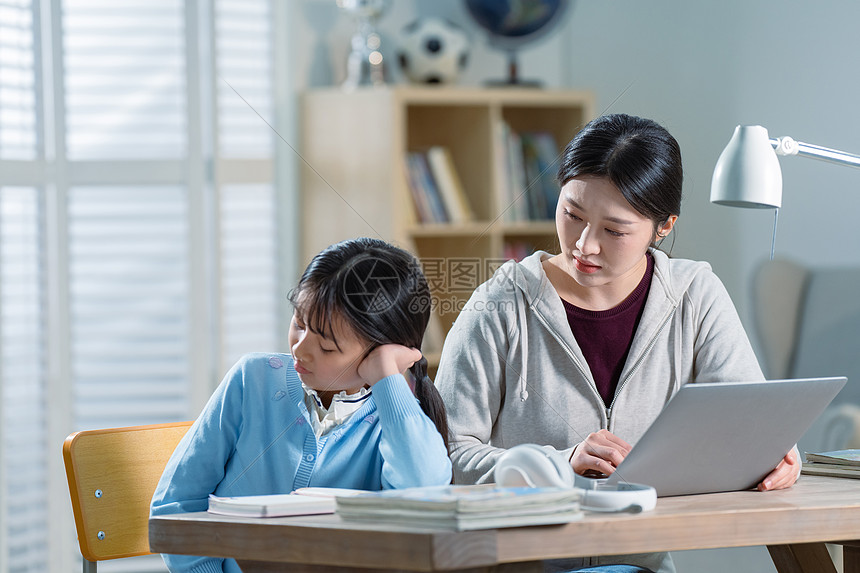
(530, 465)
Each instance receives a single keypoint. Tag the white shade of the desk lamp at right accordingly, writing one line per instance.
(747, 173)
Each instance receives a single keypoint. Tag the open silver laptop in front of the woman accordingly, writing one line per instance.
(726, 436)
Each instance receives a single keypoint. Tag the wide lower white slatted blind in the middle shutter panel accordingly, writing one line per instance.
(129, 299)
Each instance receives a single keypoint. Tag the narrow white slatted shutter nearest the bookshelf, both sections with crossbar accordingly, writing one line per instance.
(251, 300)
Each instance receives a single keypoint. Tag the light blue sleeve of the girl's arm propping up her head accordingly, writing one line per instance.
(412, 450)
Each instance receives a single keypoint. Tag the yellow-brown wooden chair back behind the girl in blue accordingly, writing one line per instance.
(112, 475)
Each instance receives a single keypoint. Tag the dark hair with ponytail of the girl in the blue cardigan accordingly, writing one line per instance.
(381, 292)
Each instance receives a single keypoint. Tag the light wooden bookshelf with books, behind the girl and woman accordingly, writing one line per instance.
(355, 181)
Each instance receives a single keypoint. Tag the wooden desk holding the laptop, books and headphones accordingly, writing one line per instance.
(793, 523)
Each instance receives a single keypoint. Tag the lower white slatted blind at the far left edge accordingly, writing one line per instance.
(22, 367)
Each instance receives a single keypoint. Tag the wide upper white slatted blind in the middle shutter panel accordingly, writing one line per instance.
(124, 79)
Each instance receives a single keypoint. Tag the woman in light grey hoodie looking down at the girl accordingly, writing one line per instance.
(591, 343)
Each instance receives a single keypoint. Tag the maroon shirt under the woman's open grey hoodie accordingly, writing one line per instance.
(605, 336)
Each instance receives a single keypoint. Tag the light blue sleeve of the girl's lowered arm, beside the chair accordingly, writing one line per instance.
(197, 465)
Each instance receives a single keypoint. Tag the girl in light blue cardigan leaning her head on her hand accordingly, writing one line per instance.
(350, 407)
